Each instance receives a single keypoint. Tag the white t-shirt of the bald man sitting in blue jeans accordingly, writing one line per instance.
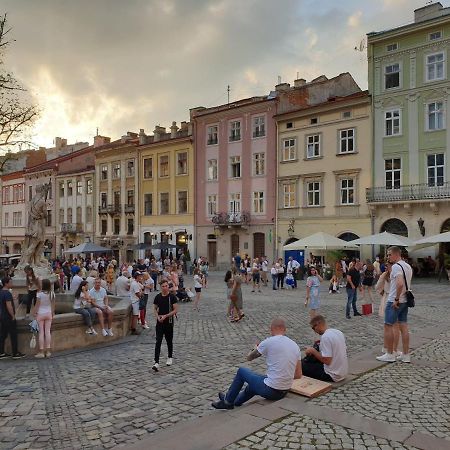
(282, 355)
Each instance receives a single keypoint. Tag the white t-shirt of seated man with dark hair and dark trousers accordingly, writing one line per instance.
(332, 344)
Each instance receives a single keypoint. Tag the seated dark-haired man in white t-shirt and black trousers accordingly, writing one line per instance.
(329, 362)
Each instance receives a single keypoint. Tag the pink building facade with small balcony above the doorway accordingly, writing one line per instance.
(235, 185)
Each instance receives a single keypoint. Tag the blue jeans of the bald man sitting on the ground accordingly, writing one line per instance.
(255, 386)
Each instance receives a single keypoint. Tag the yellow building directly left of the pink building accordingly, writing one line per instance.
(166, 177)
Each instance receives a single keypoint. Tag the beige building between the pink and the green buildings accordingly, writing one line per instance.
(324, 163)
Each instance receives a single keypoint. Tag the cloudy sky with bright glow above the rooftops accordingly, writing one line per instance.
(123, 65)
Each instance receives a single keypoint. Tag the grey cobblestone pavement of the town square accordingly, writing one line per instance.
(108, 396)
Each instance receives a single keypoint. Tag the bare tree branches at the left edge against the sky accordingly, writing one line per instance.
(17, 113)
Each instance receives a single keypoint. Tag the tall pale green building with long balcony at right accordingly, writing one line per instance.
(409, 84)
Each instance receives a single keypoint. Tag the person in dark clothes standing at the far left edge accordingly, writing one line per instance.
(8, 323)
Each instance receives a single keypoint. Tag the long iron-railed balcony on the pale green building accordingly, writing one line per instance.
(408, 193)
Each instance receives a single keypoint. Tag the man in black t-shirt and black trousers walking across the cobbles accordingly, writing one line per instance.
(165, 307)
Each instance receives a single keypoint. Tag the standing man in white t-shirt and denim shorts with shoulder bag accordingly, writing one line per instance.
(396, 309)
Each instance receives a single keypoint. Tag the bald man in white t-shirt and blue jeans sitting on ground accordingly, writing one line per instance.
(283, 366)
